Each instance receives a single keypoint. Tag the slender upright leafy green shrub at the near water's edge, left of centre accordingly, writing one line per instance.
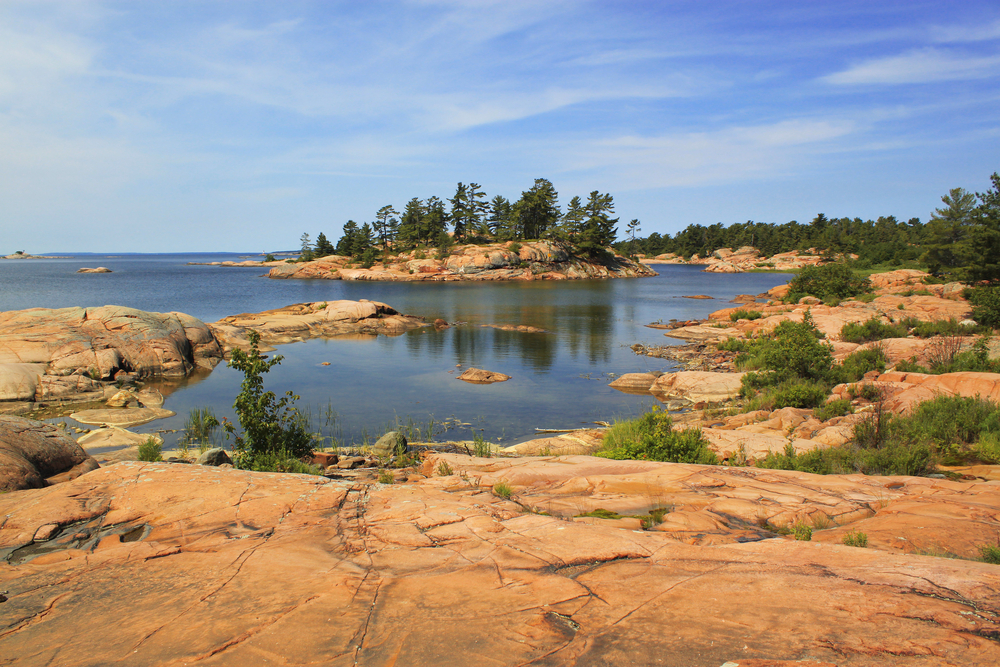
(271, 426)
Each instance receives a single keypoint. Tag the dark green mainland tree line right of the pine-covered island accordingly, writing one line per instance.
(961, 239)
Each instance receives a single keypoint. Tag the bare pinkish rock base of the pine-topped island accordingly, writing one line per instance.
(535, 260)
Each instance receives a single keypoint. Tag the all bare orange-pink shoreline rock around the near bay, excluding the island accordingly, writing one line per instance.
(582, 558)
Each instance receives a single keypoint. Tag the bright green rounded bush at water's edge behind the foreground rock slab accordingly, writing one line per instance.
(652, 438)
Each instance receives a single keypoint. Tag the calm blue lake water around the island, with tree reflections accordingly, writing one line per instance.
(559, 378)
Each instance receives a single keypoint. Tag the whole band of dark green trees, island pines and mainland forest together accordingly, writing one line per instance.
(960, 240)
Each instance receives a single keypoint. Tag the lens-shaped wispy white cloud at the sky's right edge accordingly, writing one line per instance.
(918, 66)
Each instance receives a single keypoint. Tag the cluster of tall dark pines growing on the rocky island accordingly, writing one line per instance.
(588, 226)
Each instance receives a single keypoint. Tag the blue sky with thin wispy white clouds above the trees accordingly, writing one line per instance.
(239, 125)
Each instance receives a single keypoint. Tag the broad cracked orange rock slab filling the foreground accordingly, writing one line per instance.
(153, 564)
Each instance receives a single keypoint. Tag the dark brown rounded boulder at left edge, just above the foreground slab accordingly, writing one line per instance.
(34, 454)
